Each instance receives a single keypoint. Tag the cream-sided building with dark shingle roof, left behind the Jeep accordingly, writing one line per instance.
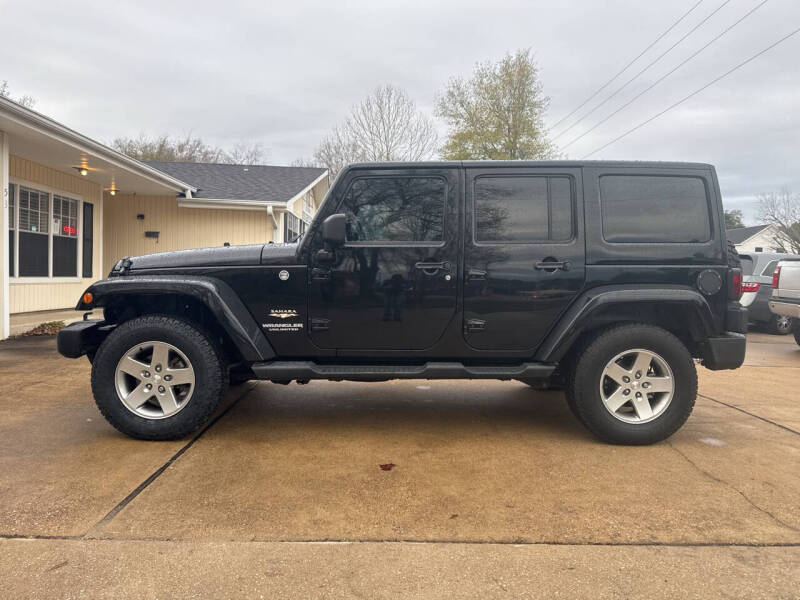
(71, 207)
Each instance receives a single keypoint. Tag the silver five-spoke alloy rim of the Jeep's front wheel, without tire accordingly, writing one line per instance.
(154, 380)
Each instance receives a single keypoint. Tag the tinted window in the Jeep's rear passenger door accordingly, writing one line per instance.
(523, 209)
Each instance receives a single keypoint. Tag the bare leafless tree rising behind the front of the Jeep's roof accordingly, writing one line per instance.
(385, 126)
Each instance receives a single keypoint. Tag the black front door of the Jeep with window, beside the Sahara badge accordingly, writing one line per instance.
(393, 286)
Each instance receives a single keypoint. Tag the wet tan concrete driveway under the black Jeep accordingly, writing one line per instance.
(494, 491)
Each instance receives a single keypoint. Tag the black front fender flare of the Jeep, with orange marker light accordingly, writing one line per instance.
(216, 295)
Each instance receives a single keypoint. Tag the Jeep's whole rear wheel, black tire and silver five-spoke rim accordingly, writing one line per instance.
(633, 384)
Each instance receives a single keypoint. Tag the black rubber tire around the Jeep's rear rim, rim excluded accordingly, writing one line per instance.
(584, 396)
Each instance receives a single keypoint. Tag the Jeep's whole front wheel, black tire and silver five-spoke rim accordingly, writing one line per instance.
(157, 378)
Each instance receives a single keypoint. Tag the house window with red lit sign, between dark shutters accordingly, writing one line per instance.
(43, 233)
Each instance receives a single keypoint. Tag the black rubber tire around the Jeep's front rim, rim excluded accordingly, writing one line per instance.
(209, 370)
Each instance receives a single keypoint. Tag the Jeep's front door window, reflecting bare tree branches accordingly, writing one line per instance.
(395, 209)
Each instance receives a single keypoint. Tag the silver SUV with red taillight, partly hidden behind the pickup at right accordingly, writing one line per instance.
(757, 270)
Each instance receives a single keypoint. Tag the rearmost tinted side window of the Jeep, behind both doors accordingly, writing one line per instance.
(653, 209)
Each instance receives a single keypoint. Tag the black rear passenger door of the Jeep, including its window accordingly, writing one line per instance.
(524, 254)
